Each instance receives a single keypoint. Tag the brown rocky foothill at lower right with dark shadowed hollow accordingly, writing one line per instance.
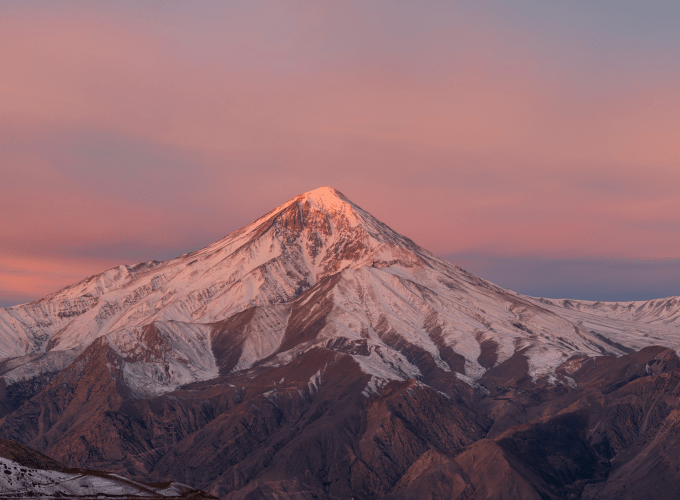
(613, 437)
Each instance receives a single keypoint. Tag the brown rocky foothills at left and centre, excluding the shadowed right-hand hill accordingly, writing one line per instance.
(256, 428)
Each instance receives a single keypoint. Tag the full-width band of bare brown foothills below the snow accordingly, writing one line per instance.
(268, 432)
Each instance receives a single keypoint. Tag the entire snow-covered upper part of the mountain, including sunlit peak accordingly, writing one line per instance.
(318, 271)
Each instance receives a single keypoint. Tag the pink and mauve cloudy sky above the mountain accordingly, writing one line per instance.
(534, 143)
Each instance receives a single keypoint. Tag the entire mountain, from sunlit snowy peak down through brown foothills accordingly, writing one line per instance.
(317, 353)
